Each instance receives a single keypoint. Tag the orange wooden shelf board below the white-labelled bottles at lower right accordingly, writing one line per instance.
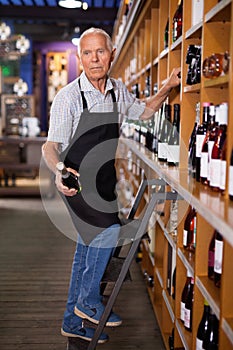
(210, 293)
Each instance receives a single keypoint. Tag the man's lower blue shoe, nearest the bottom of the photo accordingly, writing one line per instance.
(83, 333)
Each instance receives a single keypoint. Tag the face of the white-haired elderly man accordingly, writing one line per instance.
(95, 56)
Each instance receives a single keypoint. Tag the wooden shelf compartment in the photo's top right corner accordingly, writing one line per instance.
(220, 12)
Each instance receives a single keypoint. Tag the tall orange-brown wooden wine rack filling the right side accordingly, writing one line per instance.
(141, 58)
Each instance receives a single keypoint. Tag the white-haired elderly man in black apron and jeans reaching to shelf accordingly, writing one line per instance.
(83, 133)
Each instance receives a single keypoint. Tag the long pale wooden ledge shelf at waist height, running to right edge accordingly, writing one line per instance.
(217, 211)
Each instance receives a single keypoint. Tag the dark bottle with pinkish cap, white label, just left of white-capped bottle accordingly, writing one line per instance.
(200, 136)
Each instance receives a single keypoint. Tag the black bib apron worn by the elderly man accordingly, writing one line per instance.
(92, 153)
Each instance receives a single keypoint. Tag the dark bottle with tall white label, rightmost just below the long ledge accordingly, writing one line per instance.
(218, 256)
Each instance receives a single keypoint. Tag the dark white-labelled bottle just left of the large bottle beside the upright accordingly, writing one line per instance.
(163, 138)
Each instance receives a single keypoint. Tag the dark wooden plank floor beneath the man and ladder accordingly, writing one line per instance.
(35, 263)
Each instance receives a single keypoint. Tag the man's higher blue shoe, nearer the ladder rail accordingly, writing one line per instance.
(94, 315)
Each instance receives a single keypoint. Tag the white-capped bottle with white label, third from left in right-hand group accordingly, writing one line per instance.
(204, 171)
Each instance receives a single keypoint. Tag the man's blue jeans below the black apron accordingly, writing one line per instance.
(88, 267)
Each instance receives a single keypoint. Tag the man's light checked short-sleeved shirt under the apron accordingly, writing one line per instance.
(67, 107)
